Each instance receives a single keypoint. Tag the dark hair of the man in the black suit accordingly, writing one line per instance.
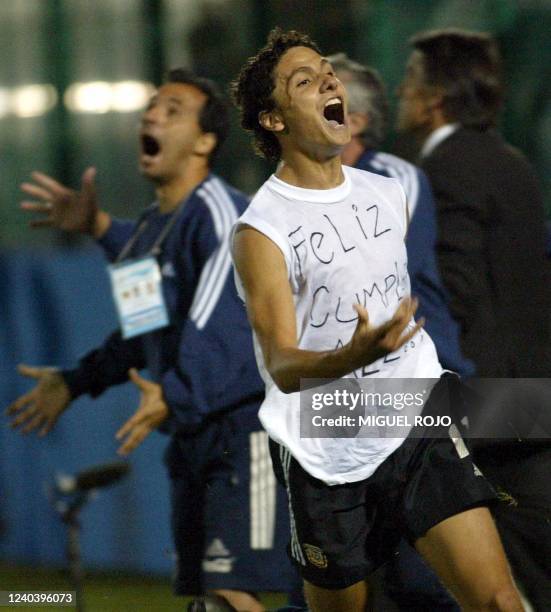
(467, 66)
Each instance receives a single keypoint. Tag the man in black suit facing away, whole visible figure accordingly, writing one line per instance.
(491, 253)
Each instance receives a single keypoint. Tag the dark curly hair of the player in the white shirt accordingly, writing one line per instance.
(252, 89)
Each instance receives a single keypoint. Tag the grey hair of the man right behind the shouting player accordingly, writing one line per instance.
(366, 94)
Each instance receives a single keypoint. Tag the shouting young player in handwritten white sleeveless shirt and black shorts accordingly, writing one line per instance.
(321, 263)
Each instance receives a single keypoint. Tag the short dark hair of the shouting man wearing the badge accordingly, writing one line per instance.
(214, 116)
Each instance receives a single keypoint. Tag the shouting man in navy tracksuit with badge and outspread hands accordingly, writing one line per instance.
(182, 320)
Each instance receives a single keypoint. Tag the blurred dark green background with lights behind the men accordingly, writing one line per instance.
(60, 43)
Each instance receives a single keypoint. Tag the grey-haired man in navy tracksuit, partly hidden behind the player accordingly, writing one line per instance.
(408, 579)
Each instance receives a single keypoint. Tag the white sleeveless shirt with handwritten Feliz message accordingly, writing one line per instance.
(342, 246)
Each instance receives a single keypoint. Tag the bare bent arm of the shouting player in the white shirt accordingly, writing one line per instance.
(262, 269)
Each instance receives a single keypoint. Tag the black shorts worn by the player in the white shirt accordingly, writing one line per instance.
(341, 533)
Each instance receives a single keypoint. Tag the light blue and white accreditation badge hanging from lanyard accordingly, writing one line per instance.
(138, 295)
